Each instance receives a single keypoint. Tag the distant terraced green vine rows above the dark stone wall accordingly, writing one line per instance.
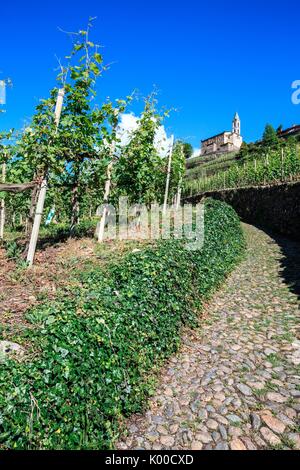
(272, 167)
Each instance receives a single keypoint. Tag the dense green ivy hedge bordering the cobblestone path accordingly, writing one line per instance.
(92, 351)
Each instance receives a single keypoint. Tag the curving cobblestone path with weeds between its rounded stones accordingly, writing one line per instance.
(235, 383)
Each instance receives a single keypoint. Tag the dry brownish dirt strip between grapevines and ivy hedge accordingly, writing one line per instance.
(55, 266)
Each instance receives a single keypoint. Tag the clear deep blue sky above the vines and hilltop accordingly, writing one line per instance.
(208, 59)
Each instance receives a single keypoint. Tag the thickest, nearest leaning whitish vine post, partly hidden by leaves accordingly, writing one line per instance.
(43, 190)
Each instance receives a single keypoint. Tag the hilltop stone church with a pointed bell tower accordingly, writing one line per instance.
(225, 142)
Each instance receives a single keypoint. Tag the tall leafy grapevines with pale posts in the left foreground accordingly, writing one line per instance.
(71, 158)
